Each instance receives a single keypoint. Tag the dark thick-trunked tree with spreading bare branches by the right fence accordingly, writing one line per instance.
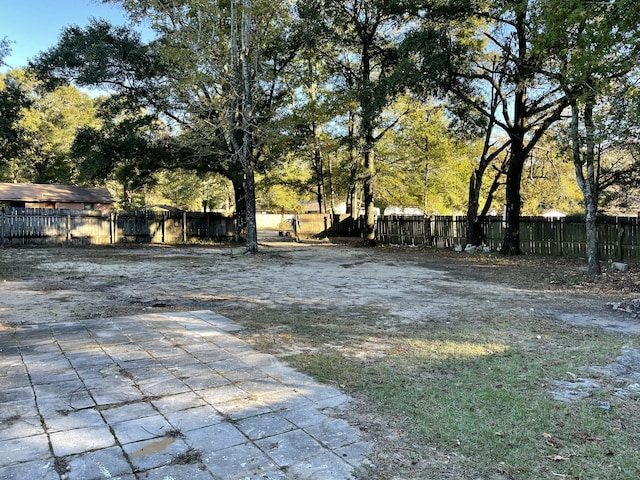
(488, 62)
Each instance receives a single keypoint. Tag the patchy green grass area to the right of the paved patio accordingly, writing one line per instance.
(481, 391)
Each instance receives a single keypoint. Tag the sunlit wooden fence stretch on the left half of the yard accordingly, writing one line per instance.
(92, 227)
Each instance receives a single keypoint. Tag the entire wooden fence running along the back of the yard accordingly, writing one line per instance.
(619, 236)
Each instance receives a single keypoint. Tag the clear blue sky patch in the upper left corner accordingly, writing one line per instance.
(35, 25)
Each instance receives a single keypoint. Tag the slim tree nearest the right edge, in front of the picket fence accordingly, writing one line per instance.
(591, 47)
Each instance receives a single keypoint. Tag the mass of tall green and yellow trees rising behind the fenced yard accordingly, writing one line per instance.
(443, 105)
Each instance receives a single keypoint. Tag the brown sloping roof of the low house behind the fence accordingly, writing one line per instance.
(31, 192)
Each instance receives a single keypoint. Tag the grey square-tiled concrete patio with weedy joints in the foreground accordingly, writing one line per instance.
(163, 396)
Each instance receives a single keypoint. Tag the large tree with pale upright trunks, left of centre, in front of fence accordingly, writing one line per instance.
(213, 70)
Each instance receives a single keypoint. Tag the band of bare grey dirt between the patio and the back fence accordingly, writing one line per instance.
(400, 286)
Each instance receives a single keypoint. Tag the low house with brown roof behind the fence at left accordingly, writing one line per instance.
(31, 195)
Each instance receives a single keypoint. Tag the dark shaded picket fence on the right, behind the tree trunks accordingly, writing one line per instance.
(619, 237)
